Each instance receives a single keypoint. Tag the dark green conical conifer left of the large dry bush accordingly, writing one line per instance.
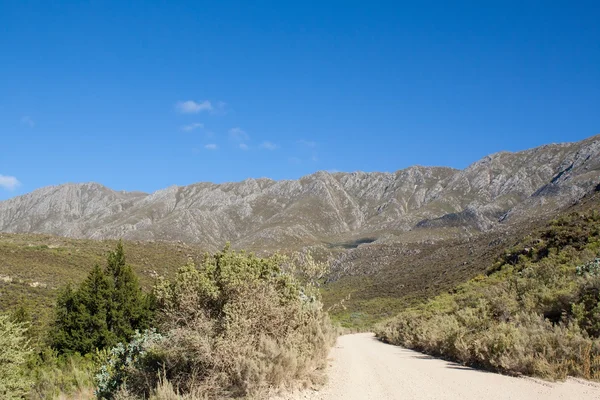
(107, 308)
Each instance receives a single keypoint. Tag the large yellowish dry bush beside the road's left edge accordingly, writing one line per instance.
(236, 326)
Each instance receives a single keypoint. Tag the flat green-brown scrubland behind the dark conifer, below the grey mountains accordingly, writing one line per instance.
(35, 268)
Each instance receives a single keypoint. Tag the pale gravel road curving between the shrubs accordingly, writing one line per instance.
(363, 368)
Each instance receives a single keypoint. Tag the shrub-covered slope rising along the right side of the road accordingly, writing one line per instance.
(535, 311)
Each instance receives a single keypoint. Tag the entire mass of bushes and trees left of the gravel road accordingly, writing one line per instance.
(233, 325)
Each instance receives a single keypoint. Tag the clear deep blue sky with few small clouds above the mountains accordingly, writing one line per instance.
(142, 95)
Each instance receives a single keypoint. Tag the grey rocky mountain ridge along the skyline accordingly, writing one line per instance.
(413, 204)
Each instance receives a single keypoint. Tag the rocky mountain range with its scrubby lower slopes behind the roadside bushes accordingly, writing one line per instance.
(391, 239)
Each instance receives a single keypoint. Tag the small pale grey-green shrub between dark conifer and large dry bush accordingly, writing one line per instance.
(120, 360)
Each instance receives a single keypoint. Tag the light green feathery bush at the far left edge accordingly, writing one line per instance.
(14, 350)
